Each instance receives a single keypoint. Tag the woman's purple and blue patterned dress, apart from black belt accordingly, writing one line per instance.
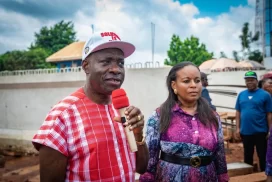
(186, 137)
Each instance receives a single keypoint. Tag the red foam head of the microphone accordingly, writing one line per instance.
(119, 99)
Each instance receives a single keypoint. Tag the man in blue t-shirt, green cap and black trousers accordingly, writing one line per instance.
(253, 107)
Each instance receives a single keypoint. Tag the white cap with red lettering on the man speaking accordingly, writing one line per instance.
(104, 40)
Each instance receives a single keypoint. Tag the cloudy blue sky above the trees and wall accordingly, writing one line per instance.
(216, 23)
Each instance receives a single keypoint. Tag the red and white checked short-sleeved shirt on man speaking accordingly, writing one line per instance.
(85, 132)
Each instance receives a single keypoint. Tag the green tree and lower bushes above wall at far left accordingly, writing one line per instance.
(47, 42)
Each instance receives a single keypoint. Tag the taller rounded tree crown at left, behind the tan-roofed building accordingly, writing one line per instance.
(55, 38)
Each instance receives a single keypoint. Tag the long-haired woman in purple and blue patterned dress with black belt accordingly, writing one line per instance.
(184, 135)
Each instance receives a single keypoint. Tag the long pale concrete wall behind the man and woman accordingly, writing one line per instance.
(27, 96)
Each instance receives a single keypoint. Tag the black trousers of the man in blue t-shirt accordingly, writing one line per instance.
(259, 140)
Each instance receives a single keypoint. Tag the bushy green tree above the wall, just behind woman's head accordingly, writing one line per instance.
(188, 50)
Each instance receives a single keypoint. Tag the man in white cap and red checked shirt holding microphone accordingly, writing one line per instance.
(79, 139)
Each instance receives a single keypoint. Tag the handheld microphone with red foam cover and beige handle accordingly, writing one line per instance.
(120, 102)
